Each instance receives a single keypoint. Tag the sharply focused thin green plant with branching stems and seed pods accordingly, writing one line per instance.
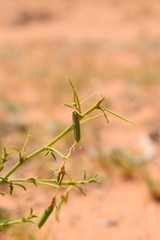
(57, 181)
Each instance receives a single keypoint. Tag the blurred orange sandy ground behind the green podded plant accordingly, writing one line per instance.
(109, 47)
